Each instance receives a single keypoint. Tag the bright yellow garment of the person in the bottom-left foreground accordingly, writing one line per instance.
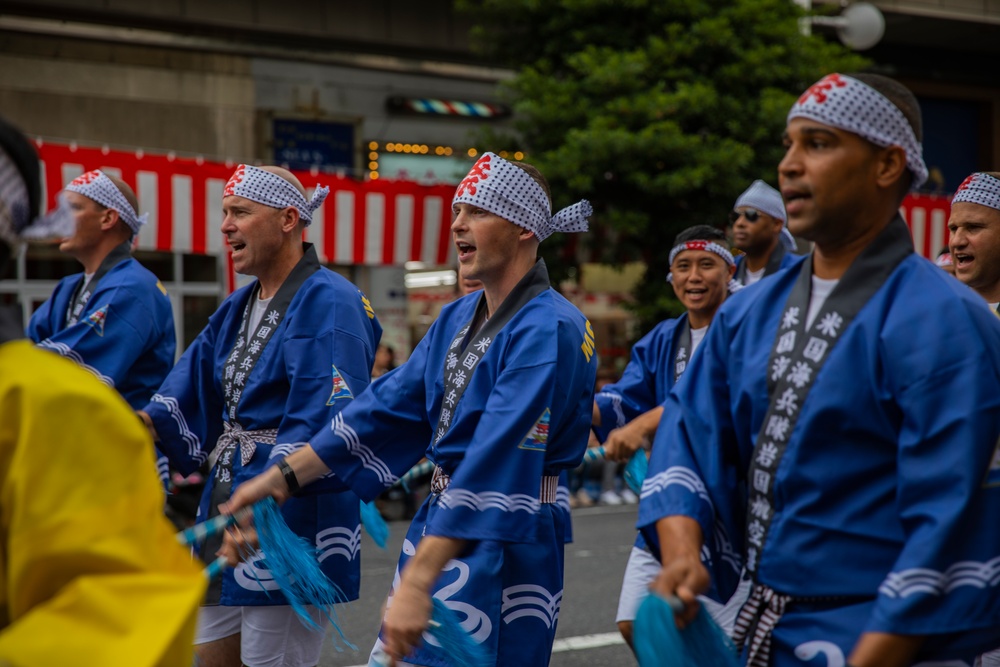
(90, 570)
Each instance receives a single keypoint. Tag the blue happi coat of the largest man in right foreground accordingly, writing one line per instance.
(887, 497)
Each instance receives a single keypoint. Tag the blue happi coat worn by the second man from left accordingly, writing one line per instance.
(317, 360)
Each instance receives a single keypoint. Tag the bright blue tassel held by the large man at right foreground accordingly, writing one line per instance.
(659, 643)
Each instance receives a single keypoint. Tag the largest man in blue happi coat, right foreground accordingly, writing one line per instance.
(841, 443)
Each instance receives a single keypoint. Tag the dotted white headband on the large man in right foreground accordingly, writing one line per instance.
(852, 105)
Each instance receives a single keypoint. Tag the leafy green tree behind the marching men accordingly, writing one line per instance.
(660, 112)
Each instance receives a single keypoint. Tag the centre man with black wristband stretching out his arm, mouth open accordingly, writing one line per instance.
(498, 395)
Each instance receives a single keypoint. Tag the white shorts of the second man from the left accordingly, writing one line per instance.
(269, 636)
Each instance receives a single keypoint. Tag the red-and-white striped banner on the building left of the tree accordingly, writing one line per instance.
(372, 222)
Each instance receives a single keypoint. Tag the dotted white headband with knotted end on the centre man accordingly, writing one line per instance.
(508, 191)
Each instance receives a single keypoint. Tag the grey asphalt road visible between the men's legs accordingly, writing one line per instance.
(586, 636)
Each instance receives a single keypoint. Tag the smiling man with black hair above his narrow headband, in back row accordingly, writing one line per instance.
(627, 412)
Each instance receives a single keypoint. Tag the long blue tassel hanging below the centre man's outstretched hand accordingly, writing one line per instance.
(292, 562)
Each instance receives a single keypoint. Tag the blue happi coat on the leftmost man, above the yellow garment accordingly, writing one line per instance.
(124, 336)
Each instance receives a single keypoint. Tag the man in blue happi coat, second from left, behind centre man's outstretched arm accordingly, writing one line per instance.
(277, 361)
